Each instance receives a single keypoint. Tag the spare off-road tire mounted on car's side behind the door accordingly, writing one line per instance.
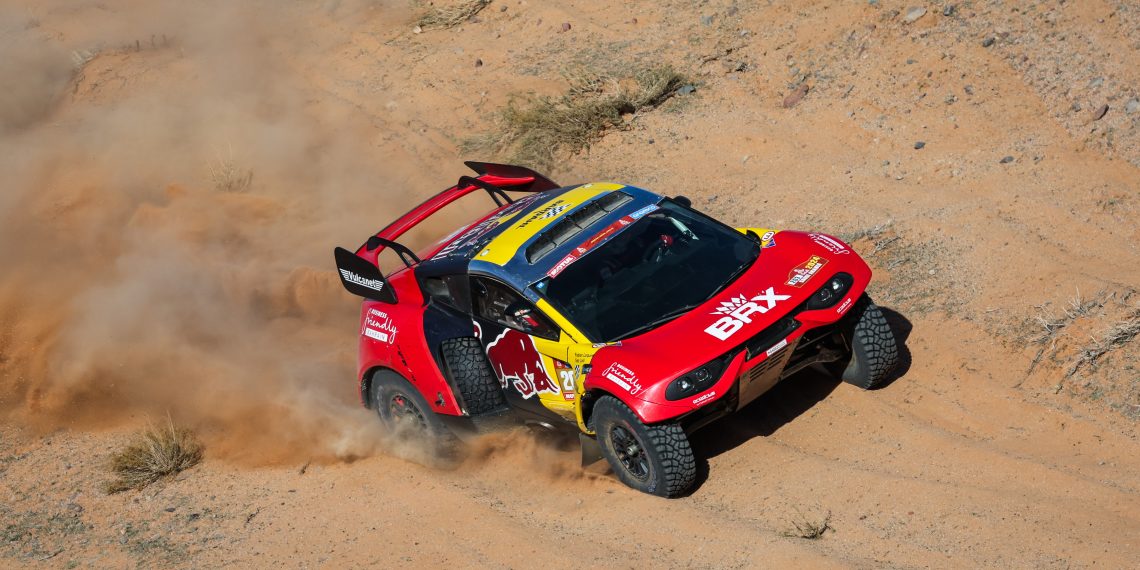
(467, 364)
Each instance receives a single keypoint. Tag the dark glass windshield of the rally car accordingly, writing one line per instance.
(665, 264)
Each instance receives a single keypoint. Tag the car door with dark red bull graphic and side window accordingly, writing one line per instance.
(527, 352)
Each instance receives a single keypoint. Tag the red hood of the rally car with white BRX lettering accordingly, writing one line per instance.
(792, 267)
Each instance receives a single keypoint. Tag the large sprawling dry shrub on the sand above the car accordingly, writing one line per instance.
(535, 131)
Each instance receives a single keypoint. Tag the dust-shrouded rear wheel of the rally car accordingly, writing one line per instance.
(417, 424)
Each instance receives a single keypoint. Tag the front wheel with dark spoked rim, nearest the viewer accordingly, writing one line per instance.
(664, 453)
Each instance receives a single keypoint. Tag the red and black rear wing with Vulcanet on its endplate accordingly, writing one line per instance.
(493, 178)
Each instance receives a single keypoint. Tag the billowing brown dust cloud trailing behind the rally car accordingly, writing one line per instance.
(173, 189)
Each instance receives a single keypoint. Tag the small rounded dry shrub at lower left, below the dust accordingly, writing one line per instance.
(154, 454)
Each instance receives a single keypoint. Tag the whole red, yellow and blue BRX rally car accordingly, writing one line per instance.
(607, 310)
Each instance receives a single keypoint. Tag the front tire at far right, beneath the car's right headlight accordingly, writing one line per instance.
(875, 349)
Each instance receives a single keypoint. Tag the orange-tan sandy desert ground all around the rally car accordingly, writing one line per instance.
(136, 283)
